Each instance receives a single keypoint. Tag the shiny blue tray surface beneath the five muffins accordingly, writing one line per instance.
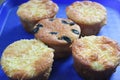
(11, 30)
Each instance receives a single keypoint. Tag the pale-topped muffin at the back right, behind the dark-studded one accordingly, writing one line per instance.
(91, 16)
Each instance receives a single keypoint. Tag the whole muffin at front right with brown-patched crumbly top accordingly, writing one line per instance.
(95, 57)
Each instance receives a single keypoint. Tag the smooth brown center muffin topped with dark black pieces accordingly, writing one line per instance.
(57, 33)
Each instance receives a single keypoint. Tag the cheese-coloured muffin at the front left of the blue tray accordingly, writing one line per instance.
(27, 60)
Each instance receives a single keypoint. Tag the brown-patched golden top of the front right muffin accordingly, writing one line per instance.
(98, 52)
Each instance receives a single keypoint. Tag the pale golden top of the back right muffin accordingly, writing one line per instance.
(86, 12)
